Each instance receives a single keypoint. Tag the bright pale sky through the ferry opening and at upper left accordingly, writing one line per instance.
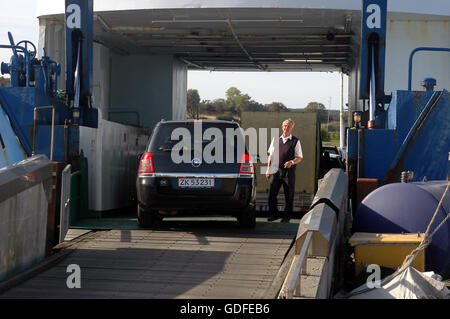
(294, 89)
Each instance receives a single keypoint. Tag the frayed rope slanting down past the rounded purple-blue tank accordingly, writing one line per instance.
(423, 244)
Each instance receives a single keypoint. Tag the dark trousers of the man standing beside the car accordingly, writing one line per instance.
(285, 177)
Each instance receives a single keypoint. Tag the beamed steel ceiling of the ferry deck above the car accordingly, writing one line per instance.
(241, 39)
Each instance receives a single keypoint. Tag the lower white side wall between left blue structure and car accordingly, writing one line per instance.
(112, 150)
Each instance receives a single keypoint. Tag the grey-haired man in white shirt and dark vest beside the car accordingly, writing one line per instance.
(284, 154)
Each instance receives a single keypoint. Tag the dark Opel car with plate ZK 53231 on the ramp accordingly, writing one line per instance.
(196, 165)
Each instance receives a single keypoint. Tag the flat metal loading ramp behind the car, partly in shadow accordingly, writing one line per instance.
(165, 264)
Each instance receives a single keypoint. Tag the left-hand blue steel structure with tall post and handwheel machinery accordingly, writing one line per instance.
(33, 85)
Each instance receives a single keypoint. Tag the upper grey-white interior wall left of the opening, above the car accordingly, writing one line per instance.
(153, 86)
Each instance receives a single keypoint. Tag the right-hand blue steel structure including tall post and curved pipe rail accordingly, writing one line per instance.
(413, 132)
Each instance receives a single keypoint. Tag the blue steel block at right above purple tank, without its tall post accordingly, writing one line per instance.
(416, 138)
